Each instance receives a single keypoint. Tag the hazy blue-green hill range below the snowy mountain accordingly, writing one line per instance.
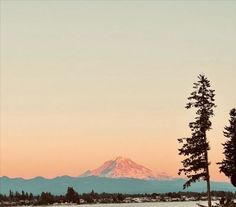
(59, 185)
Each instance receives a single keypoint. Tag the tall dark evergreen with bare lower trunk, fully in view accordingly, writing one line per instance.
(195, 147)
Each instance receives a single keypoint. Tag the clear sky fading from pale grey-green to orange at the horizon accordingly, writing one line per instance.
(85, 81)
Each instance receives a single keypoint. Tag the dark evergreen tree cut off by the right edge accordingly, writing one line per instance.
(228, 165)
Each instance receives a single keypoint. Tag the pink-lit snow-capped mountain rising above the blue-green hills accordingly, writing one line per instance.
(121, 167)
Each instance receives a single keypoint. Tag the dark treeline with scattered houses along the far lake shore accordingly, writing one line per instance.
(71, 196)
